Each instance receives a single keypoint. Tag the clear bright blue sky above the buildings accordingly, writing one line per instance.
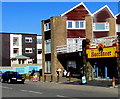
(26, 17)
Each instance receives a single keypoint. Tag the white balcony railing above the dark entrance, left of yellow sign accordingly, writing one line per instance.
(69, 48)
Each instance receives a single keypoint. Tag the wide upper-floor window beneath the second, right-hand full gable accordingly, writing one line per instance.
(101, 26)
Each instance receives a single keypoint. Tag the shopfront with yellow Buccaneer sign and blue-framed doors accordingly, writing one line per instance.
(103, 61)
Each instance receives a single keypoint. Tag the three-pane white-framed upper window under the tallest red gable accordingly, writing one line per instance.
(76, 24)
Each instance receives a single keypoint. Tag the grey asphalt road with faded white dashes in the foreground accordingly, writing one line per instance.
(41, 89)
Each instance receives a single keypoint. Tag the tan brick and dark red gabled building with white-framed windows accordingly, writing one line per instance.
(63, 36)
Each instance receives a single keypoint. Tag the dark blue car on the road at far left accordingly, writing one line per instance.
(12, 77)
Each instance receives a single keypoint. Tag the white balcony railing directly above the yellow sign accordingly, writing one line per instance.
(107, 41)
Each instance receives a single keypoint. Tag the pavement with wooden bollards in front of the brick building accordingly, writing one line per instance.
(76, 81)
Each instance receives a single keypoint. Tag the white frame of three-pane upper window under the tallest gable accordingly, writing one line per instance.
(74, 25)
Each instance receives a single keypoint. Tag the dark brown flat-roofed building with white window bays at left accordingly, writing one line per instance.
(18, 48)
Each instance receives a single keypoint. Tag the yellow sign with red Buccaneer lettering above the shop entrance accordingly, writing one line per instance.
(107, 52)
